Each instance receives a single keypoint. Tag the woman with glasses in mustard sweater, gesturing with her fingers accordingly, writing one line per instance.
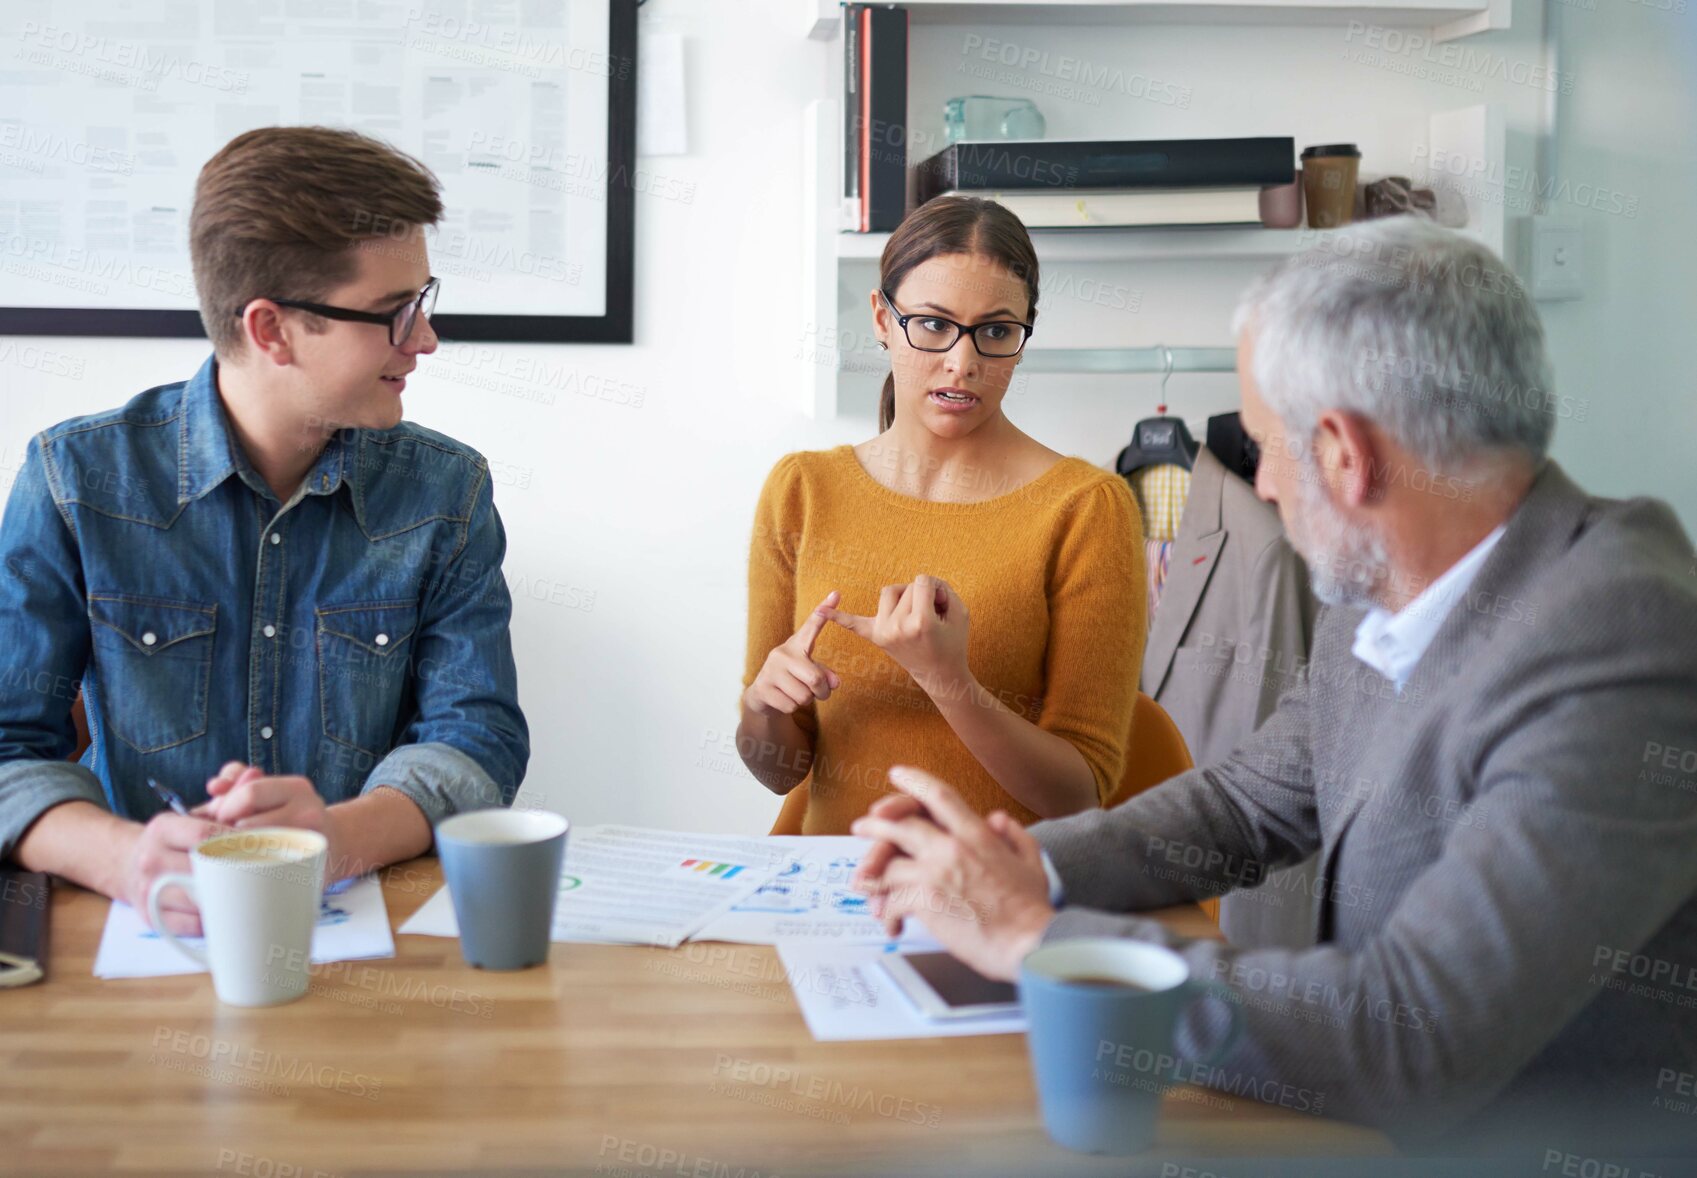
(951, 595)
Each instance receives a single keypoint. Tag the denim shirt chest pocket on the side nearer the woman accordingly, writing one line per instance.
(366, 656)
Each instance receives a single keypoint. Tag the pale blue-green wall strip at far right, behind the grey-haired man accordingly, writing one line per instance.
(1632, 126)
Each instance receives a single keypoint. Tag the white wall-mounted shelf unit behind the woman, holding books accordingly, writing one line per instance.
(829, 257)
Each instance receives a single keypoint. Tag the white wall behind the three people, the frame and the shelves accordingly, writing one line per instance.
(647, 508)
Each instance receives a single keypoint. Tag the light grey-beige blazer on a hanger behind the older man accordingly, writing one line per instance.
(1229, 637)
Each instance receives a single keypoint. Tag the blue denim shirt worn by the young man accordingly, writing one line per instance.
(356, 636)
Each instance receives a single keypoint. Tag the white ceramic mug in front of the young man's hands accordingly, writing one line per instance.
(259, 895)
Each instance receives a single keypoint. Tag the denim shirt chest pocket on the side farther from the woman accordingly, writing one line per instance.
(154, 658)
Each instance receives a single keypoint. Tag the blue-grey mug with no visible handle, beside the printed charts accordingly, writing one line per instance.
(503, 870)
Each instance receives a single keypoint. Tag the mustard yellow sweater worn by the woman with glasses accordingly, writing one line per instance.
(1053, 578)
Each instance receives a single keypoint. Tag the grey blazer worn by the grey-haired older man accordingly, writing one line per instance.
(1509, 856)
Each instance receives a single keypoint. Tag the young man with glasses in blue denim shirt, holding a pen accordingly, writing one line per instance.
(274, 595)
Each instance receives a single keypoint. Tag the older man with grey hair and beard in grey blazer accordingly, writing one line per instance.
(1508, 934)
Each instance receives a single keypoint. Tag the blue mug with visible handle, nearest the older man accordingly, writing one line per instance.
(1102, 1016)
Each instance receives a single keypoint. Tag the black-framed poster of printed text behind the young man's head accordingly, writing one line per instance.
(527, 113)
